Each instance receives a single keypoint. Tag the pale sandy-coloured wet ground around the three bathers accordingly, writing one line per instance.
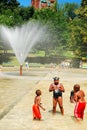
(17, 97)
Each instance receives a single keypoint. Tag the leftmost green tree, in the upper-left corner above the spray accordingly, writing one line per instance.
(9, 12)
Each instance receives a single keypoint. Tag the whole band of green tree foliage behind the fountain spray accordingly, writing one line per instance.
(66, 26)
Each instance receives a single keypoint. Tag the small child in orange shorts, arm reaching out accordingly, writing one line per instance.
(37, 105)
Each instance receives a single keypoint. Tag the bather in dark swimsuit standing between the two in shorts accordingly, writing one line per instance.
(57, 89)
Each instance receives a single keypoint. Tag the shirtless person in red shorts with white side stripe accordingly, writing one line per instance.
(80, 103)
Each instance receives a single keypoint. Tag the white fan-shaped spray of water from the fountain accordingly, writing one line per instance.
(23, 38)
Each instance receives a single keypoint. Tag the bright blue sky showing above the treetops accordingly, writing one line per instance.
(28, 2)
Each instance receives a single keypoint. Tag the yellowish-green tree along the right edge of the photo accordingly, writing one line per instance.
(79, 30)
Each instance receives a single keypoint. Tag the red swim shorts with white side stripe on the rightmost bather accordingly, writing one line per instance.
(79, 109)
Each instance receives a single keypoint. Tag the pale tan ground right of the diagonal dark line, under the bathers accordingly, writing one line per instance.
(20, 116)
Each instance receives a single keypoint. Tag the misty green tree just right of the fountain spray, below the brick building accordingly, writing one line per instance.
(56, 27)
